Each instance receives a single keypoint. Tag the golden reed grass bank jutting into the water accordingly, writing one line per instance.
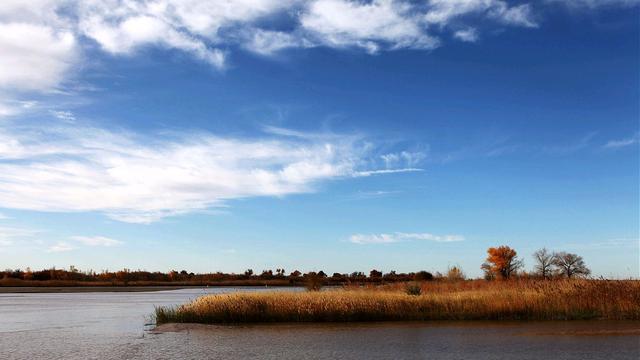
(467, 300)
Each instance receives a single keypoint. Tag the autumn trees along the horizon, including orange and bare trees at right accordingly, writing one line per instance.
(502, 263)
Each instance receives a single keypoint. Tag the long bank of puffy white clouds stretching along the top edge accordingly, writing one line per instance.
(41, 40)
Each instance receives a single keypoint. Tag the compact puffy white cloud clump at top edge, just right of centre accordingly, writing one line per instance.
(374, 26)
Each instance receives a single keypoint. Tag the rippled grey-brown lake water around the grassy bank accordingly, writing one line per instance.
(115, 326)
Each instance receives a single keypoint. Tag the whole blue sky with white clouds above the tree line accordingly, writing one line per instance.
(328, 135)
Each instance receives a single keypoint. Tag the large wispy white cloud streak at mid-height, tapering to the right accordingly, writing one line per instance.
(141, 179)
